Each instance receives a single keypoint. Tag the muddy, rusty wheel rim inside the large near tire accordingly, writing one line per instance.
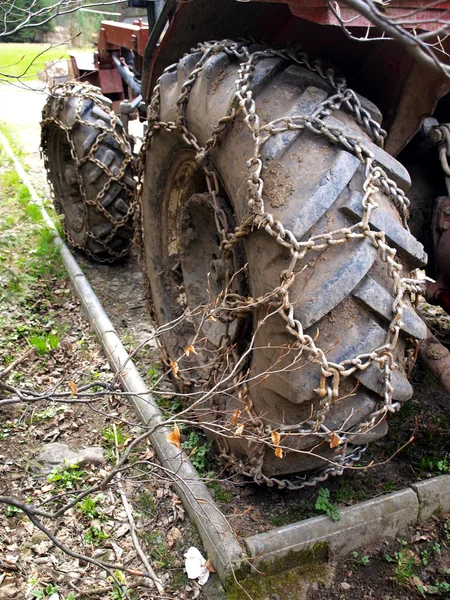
(192, 244)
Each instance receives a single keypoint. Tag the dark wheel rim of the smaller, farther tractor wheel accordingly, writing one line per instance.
(71, 204)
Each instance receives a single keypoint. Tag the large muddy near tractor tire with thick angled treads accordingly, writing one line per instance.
(342, 295)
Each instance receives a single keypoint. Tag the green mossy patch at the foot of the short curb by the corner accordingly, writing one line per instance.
(286, 577)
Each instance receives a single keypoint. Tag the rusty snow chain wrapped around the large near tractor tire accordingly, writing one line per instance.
(331, 373)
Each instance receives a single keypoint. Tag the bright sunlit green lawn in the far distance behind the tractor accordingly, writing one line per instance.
(27, 60)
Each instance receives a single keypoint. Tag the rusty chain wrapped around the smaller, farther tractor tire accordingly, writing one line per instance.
(83, 92)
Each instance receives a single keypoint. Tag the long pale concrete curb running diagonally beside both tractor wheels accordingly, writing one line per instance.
(218, 539)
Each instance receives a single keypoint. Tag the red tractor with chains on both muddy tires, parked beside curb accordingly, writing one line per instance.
(288, 201)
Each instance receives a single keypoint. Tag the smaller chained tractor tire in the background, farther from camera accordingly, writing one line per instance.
(89, 165)
